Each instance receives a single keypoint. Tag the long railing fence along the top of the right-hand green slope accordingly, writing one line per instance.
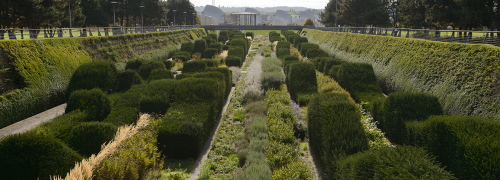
(459, 36)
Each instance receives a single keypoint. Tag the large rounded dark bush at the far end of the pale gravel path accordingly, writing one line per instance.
(96, 74)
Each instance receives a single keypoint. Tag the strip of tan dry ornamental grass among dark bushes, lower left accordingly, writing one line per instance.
(83, 170)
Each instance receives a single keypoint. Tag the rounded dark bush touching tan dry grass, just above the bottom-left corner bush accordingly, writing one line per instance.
(87, 138)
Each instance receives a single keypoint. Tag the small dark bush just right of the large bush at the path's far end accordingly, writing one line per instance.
(126, 79)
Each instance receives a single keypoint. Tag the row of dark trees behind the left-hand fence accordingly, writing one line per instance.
(37, 14)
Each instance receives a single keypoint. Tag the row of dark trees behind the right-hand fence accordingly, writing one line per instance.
(437, 14)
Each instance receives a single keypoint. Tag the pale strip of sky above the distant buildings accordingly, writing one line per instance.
(314, 4)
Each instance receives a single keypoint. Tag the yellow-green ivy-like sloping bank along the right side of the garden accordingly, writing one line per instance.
(465, 77)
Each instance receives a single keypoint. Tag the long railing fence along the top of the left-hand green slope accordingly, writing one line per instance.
(15, 34)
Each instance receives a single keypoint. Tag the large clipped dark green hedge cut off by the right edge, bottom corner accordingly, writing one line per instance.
(466, 146)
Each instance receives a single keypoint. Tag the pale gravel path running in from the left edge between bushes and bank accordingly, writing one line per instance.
(32, 122)
